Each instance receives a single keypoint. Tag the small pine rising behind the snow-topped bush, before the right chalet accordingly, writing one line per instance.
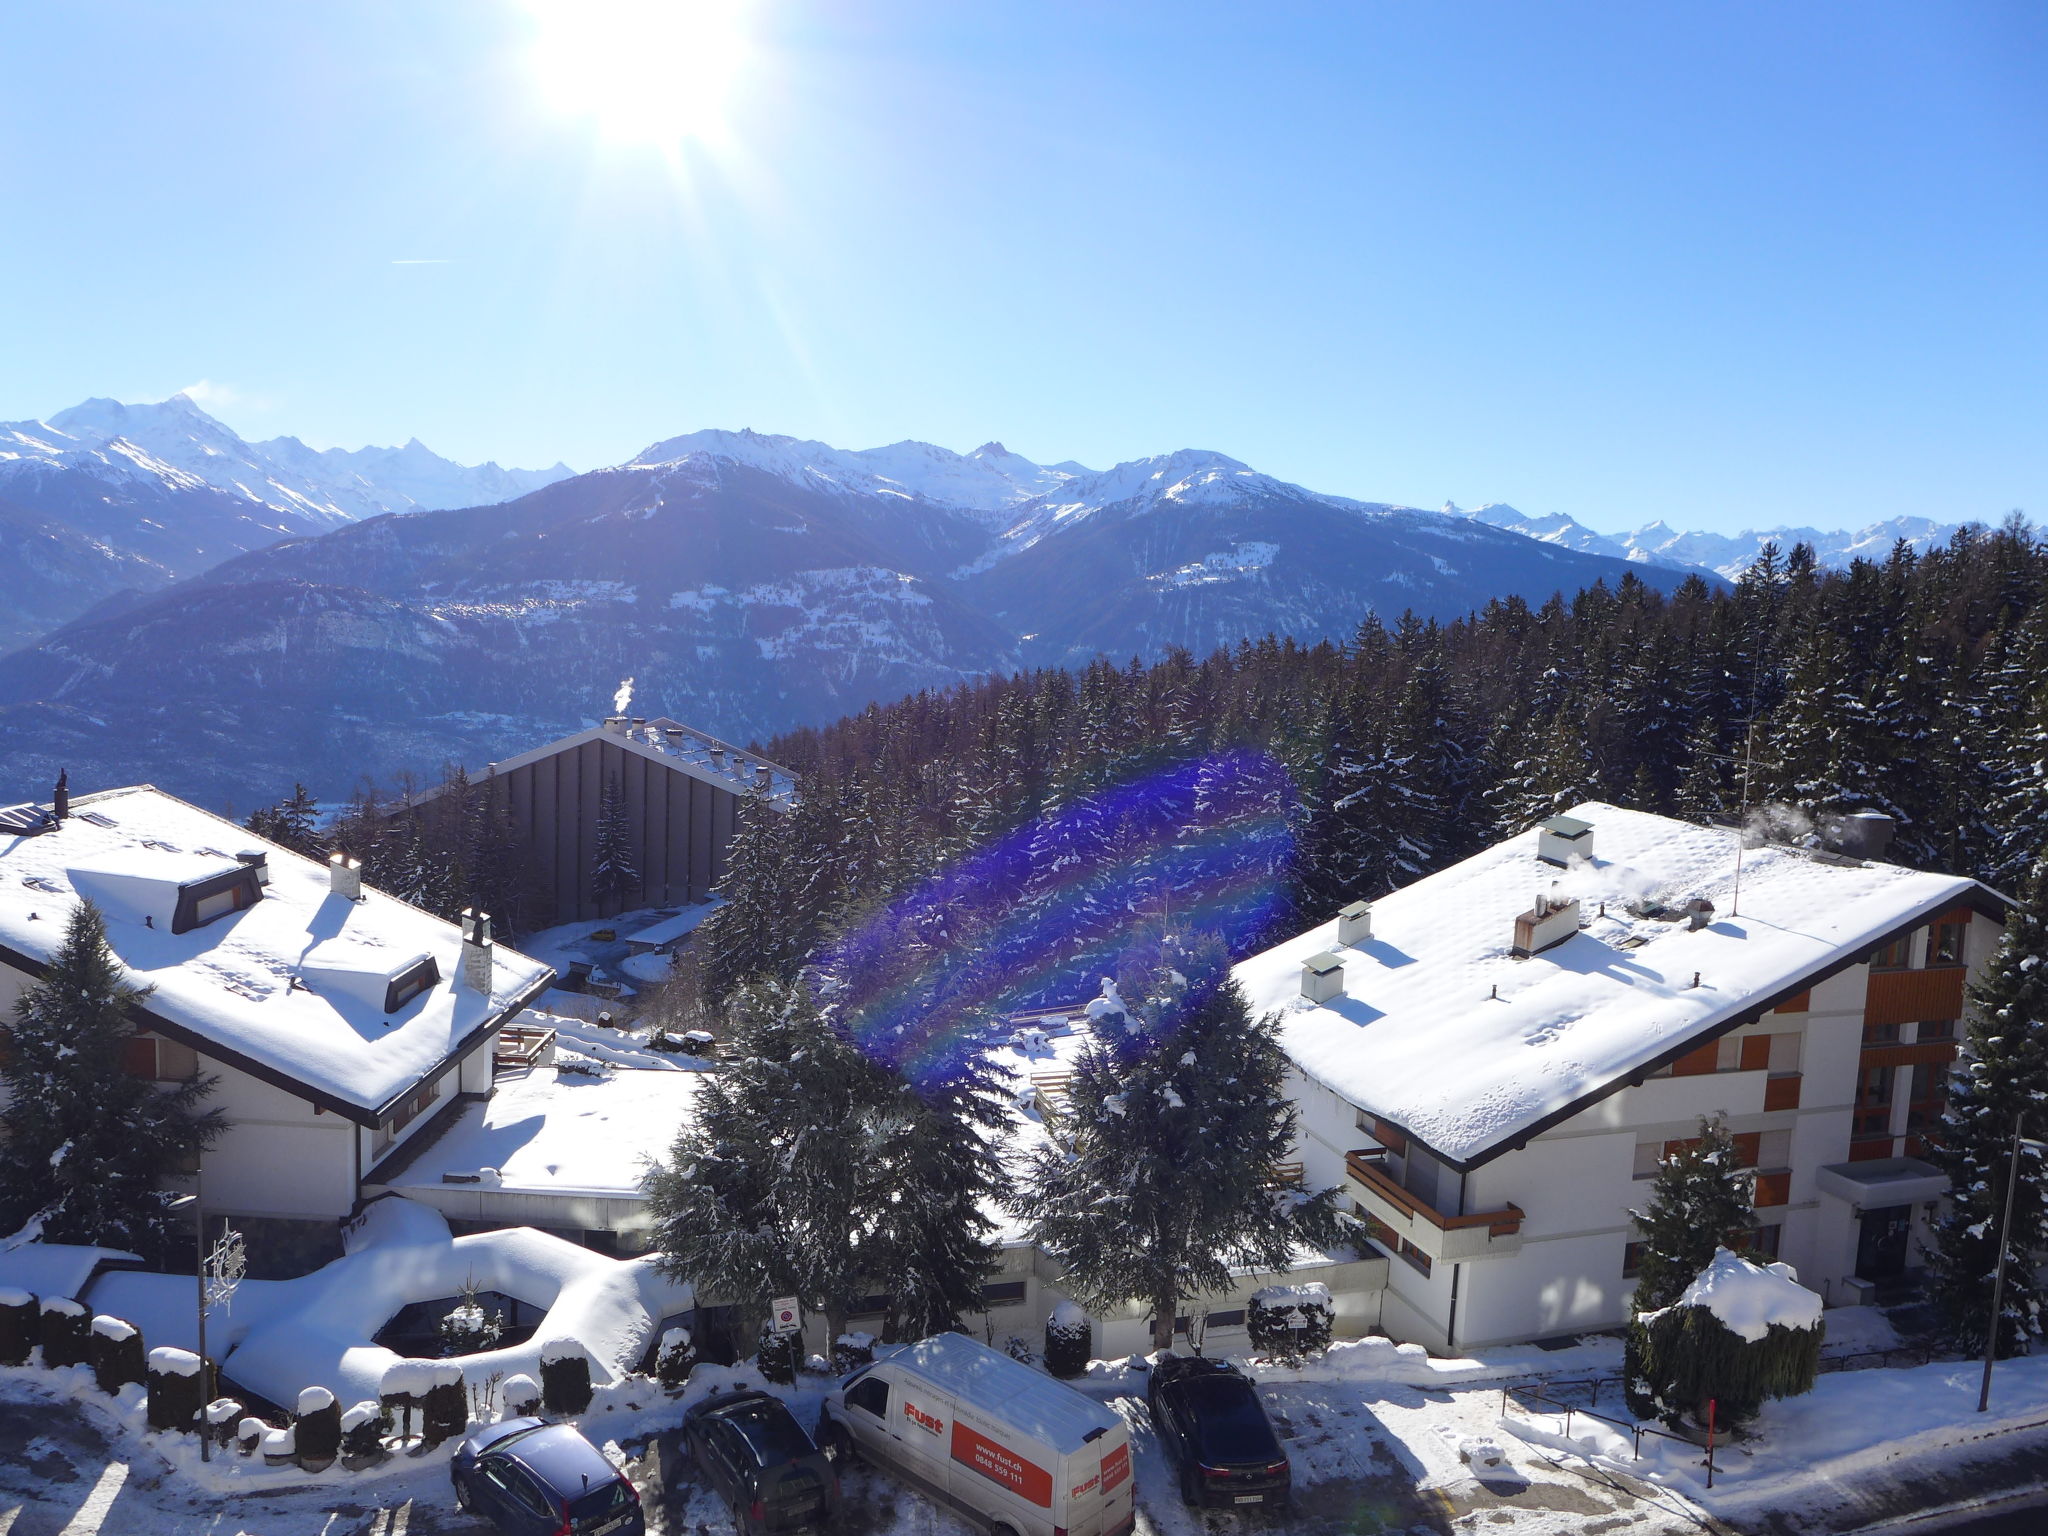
(1703, 1199)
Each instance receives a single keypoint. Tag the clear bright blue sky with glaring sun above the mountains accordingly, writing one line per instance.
(1723, 265)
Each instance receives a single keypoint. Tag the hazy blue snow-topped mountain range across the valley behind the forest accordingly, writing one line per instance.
(749, 583)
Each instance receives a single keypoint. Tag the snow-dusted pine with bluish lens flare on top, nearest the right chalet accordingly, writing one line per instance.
(1177, 1117)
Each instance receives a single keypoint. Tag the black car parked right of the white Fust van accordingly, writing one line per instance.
(1215, 1428)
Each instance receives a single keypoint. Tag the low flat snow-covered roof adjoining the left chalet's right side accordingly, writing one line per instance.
(560, 1134)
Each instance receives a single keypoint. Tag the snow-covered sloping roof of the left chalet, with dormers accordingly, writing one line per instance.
(249, 988)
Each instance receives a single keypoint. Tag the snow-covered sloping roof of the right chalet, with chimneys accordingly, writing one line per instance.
(1441, 1031)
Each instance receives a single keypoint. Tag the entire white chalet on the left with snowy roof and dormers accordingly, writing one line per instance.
(339, 1023)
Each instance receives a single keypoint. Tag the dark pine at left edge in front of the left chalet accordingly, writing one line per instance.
(81, 1142)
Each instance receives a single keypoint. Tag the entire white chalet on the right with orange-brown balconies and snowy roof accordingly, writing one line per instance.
(1494, 1060)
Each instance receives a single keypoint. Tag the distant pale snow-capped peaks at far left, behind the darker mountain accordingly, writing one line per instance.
(138, 497)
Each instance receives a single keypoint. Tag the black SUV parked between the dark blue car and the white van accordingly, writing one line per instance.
(761, 1463)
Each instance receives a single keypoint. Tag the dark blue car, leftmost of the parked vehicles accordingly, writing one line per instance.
(544, 1480)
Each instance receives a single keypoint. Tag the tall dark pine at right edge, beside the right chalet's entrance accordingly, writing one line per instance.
(2000, 1084)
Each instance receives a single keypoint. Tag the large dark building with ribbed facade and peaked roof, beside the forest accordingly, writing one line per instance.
(681, 792)
